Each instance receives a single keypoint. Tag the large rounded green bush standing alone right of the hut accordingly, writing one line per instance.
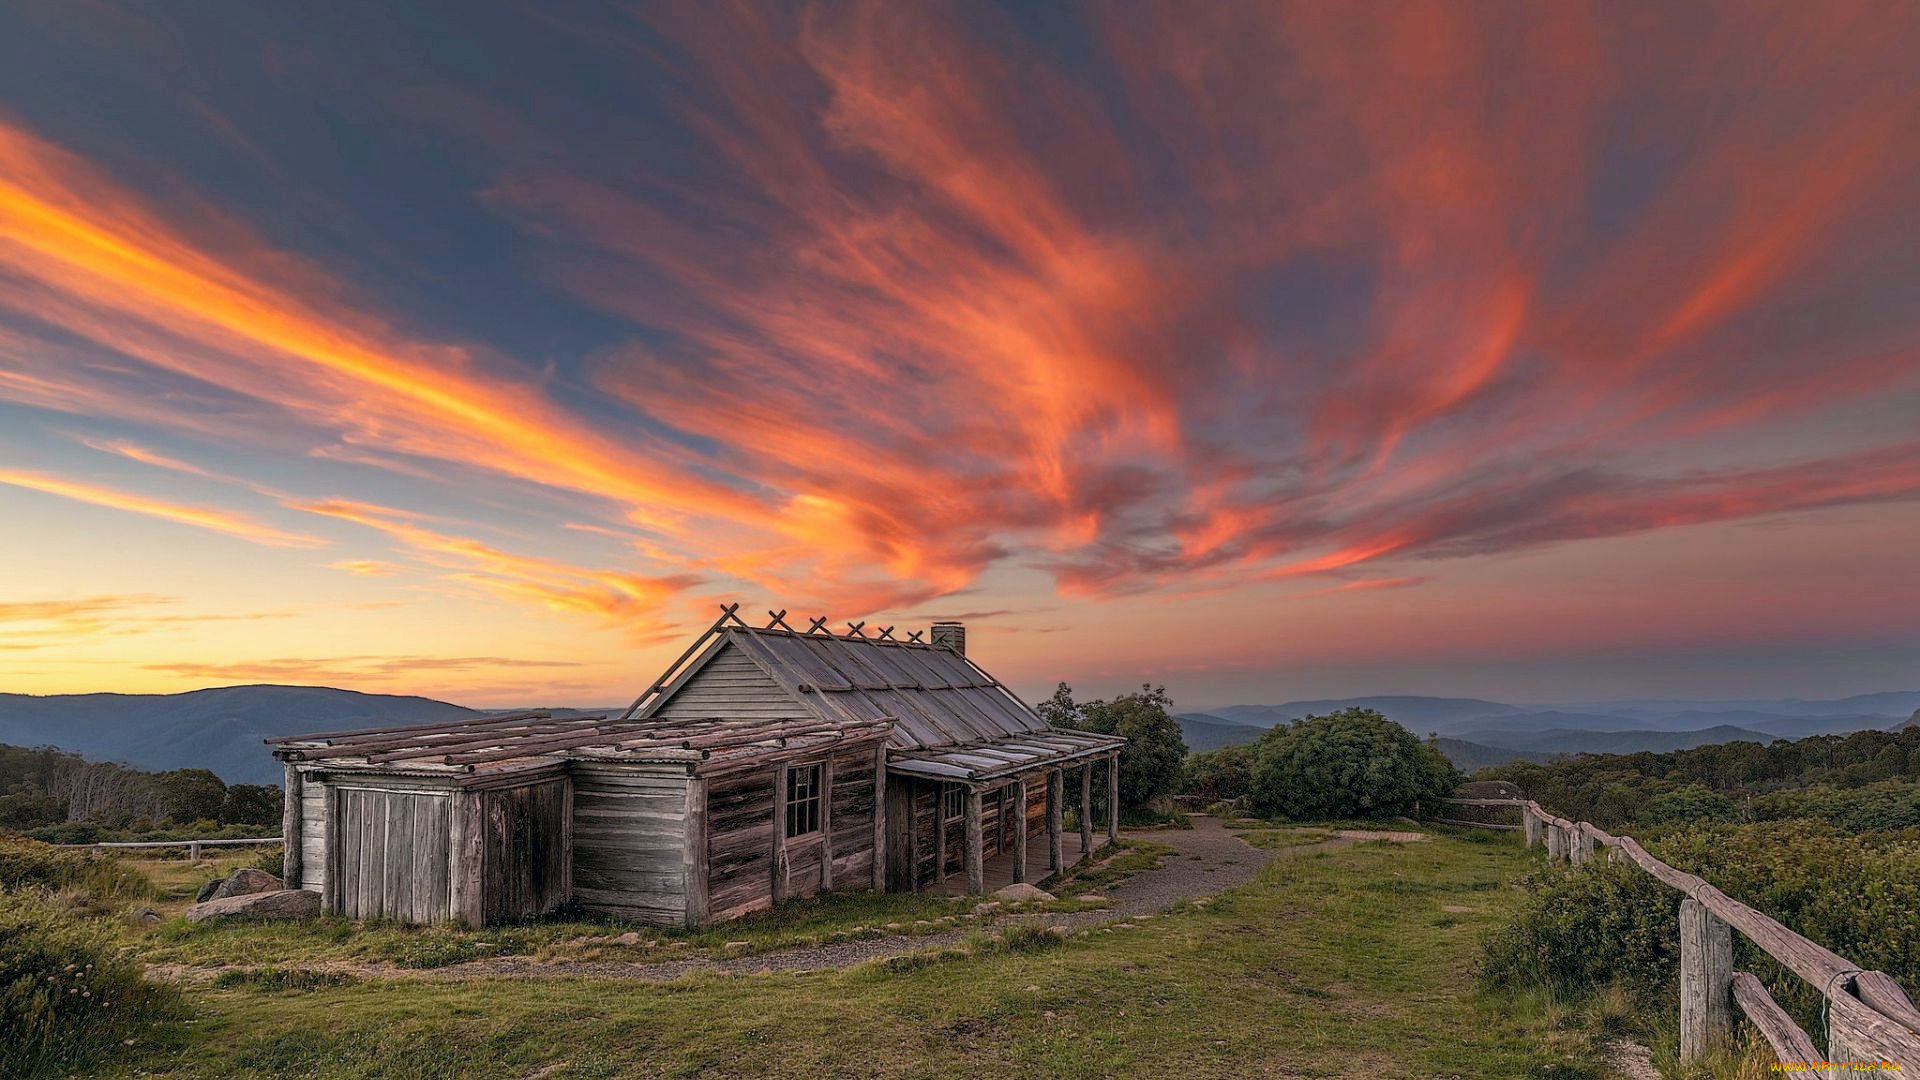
(1353, 764)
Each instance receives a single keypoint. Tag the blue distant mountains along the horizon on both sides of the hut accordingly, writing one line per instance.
(224, 729)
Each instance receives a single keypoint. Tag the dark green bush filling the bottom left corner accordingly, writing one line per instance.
(66, 996)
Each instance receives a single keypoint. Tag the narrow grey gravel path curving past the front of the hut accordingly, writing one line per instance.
(1207, 860)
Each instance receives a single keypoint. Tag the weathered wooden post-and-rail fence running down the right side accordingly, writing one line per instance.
(1869, 1018)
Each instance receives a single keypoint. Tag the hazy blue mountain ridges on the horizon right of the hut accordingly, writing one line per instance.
(1479, 733)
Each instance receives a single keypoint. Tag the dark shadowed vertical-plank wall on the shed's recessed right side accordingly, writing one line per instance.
(525, 852)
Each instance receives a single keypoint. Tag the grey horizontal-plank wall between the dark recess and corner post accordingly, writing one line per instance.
(631, 833)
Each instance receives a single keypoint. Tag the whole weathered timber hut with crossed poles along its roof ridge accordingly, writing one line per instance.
(765, 764)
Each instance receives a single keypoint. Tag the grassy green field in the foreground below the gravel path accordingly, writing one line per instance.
(1333, 964)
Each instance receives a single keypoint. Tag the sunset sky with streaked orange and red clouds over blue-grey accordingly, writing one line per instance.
(1266, 351)
